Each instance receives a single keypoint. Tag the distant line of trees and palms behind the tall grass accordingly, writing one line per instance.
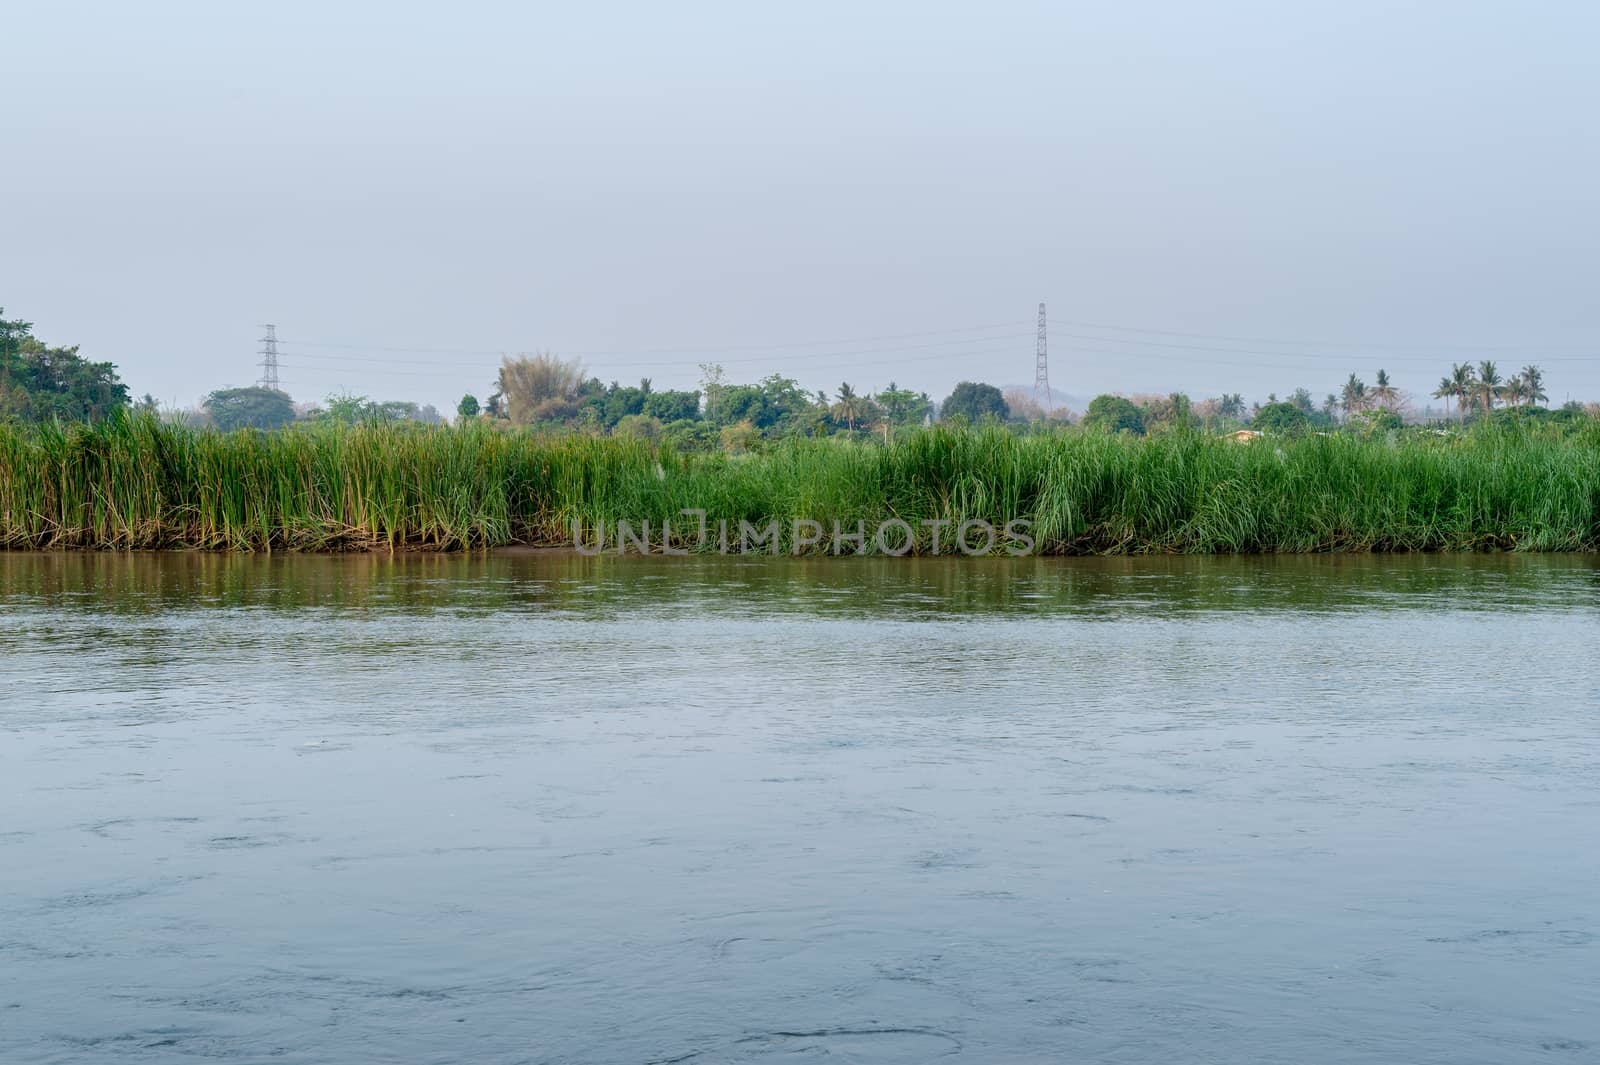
(42, 383)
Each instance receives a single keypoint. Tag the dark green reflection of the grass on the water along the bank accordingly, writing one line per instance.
(567, 583)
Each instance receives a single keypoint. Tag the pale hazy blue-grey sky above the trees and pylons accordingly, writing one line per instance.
(407, 189)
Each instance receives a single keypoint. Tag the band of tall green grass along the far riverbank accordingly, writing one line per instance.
(135, 484)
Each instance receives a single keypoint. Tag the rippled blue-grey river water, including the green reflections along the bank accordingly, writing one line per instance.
(545, 808)
